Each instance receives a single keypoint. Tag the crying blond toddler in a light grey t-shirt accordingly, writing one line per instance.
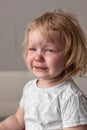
(54, 51)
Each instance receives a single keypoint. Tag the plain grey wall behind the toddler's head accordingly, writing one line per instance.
(15, 15)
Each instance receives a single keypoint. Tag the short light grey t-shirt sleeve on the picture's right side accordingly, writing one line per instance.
(74, 111)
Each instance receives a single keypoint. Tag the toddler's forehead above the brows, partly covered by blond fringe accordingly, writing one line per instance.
(52, 38)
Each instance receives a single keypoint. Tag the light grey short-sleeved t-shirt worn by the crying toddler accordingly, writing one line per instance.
(54, 108)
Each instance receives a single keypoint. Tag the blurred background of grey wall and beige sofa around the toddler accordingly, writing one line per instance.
(14, 17)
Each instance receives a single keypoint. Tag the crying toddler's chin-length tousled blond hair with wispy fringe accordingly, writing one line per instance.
(73, 35)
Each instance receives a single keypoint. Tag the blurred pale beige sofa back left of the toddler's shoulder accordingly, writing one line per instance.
(11, 86)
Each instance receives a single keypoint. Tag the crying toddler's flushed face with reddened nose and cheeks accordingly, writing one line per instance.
(45, 59)
